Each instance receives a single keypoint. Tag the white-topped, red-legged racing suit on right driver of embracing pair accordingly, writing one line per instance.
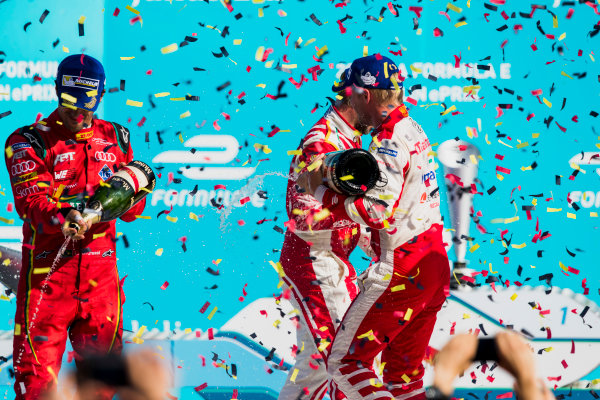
(401, 293)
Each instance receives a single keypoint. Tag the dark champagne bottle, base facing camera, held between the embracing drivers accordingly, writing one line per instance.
(350, 172)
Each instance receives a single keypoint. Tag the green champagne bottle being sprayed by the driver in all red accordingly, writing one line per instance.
(125, 188)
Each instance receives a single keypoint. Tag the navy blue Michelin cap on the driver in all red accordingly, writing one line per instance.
(80, 81)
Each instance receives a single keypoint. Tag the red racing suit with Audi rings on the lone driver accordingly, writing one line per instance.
(53, 170)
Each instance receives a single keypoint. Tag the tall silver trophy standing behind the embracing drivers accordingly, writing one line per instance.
(456, 157)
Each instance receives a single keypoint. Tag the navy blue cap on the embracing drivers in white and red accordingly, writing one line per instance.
(371, 72)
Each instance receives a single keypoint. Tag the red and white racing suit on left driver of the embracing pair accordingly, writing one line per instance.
(315, 260)
